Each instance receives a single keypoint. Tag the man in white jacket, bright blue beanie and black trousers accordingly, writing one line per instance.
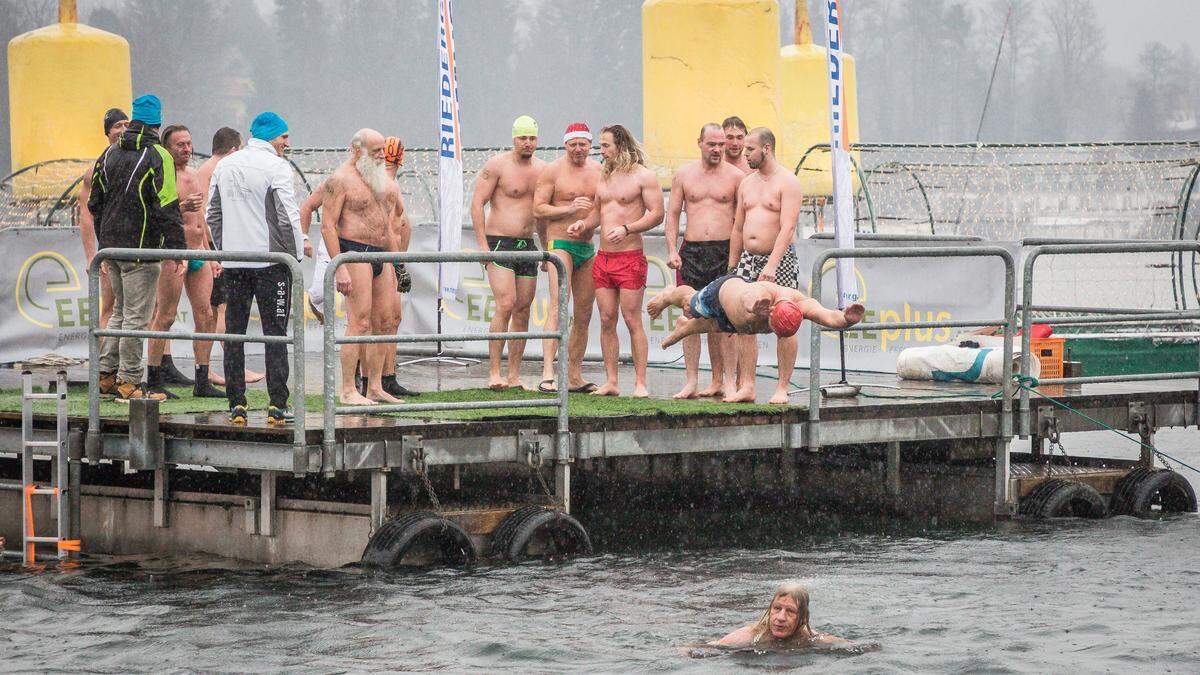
(253, 208)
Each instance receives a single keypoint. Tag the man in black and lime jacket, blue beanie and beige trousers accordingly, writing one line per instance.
(135, 206)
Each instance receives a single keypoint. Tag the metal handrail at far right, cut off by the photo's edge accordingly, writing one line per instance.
(1097, 318)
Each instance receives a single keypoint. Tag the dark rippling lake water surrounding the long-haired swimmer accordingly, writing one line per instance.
(1118, 595)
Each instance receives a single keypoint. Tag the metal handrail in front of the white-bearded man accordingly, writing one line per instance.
(333, 341)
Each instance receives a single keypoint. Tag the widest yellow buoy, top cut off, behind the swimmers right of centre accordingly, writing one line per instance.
(705, 61)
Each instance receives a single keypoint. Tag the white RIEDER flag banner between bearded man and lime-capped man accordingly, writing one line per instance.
(449, 153)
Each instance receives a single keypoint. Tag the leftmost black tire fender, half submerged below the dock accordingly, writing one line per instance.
(397, 537)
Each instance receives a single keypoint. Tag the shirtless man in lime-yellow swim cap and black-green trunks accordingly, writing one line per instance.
(508, 183)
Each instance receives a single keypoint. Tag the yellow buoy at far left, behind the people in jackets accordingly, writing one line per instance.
(62, 79)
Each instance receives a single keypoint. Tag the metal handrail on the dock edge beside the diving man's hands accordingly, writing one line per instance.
(1009, 321)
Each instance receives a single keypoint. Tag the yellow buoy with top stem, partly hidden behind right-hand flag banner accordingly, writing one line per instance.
(805, 107)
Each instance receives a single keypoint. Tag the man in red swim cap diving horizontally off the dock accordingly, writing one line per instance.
(731, 304)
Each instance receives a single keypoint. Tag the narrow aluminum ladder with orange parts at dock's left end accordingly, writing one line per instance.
(59, 488)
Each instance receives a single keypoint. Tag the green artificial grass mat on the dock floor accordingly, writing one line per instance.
(581, 405)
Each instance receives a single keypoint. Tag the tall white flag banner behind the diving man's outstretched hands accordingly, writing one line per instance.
(839, 146)
